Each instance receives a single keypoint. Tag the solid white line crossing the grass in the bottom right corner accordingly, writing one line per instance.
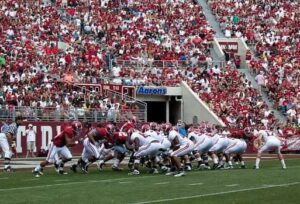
(218, 193)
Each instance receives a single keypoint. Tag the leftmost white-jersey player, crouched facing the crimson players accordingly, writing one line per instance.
(142, 146)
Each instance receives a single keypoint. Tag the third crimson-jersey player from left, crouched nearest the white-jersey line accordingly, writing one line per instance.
(118, 140)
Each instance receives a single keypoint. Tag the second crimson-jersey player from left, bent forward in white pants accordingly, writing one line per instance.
(91, 144)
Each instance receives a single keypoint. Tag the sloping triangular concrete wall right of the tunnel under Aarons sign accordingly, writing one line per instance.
(194, 107)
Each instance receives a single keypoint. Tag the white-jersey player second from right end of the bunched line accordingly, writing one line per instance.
(220, 143)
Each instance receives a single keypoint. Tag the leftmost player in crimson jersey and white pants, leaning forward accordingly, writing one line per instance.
(59, 146)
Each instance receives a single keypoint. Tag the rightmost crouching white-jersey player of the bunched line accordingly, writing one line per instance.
(236, 147)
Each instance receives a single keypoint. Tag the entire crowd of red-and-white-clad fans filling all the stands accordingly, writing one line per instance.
(45, 47)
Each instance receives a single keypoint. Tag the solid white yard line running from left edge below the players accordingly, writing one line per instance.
(72, 183)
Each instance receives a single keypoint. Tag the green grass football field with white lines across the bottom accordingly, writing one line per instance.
(270, 184)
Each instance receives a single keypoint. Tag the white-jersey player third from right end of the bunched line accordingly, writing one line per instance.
(202, 143)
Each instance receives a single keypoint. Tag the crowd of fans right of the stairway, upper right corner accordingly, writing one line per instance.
(273, 27)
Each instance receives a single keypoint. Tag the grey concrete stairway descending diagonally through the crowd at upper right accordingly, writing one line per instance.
(219, 34)
